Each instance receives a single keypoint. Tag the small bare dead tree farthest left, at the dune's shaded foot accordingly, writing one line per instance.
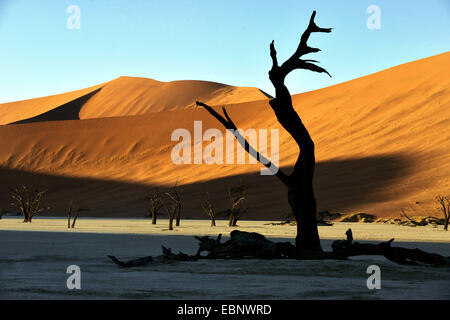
(29, 203)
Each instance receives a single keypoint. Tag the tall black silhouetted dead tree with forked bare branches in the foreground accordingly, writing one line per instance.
(299, 183)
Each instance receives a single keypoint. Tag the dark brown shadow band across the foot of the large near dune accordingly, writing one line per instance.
(339, 184)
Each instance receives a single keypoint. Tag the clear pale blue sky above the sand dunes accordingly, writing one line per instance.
(222, 41)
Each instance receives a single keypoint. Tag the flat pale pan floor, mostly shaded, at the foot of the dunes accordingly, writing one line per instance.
(38, 269)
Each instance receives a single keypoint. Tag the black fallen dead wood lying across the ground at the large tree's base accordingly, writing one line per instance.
(251, 245)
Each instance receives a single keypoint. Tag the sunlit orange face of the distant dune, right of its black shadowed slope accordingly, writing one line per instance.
(127, 96)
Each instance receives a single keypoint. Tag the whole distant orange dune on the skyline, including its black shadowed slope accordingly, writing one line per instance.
(125, 96)
